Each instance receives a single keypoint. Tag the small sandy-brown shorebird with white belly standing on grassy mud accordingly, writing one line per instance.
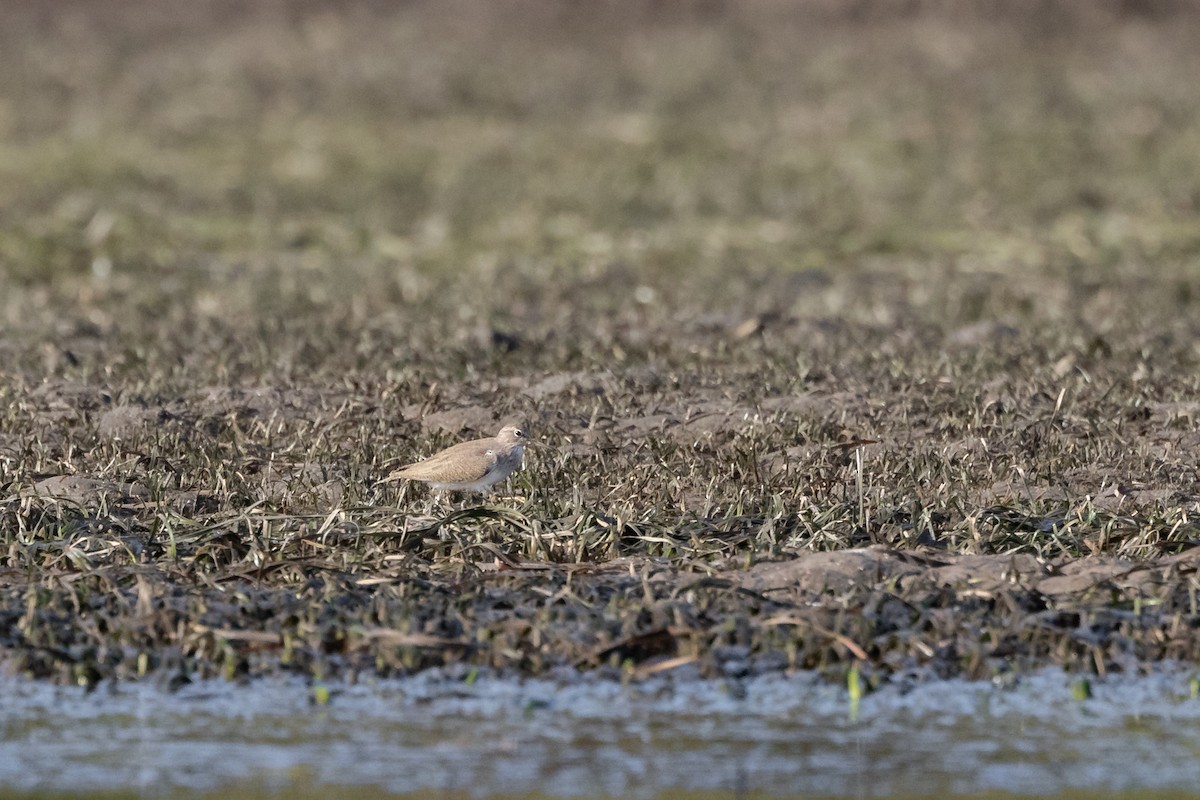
(470, 466)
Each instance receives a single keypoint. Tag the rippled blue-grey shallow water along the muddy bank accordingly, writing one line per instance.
(435, 736)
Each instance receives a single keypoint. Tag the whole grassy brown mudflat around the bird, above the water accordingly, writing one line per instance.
(855, 336)
